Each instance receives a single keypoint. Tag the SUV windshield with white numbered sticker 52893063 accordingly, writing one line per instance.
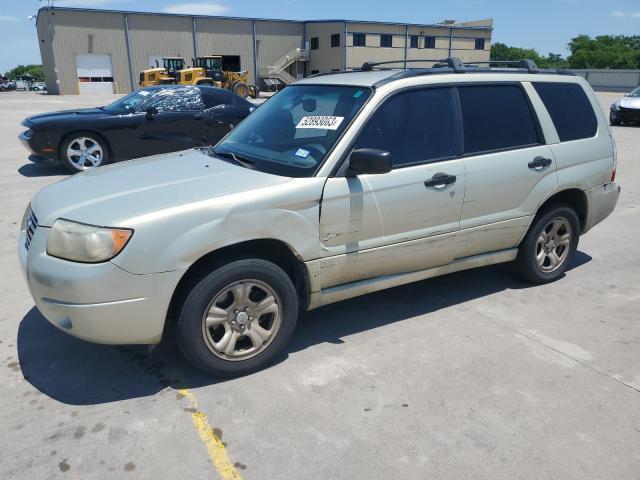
(291, 134)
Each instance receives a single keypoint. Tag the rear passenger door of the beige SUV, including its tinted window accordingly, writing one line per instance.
(509, 168)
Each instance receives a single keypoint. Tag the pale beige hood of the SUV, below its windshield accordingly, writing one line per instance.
(110, 195)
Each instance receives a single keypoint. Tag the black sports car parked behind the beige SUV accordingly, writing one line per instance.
(147, 122)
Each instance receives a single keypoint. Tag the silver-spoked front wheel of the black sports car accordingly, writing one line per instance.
(95, 149)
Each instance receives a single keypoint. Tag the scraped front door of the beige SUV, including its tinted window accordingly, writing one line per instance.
(405, 220)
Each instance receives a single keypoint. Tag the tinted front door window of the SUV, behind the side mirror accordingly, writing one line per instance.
(417, 126)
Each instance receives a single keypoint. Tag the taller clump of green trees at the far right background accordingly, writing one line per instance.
(605, 51)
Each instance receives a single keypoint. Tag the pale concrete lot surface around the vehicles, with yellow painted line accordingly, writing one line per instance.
(475, 375)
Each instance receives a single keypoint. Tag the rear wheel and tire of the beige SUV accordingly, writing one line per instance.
(545, 253)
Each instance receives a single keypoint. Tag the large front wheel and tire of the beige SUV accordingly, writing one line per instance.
(231, 305)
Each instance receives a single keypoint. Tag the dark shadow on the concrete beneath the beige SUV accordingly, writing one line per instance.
(75, 372)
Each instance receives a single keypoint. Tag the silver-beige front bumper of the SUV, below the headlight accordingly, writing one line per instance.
(101, 302)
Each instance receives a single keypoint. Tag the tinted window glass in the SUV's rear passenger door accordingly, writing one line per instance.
(496, 117)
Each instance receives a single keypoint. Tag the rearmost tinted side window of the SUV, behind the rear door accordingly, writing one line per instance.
(569, 108)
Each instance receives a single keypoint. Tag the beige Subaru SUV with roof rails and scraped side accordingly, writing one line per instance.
(340, 185)
